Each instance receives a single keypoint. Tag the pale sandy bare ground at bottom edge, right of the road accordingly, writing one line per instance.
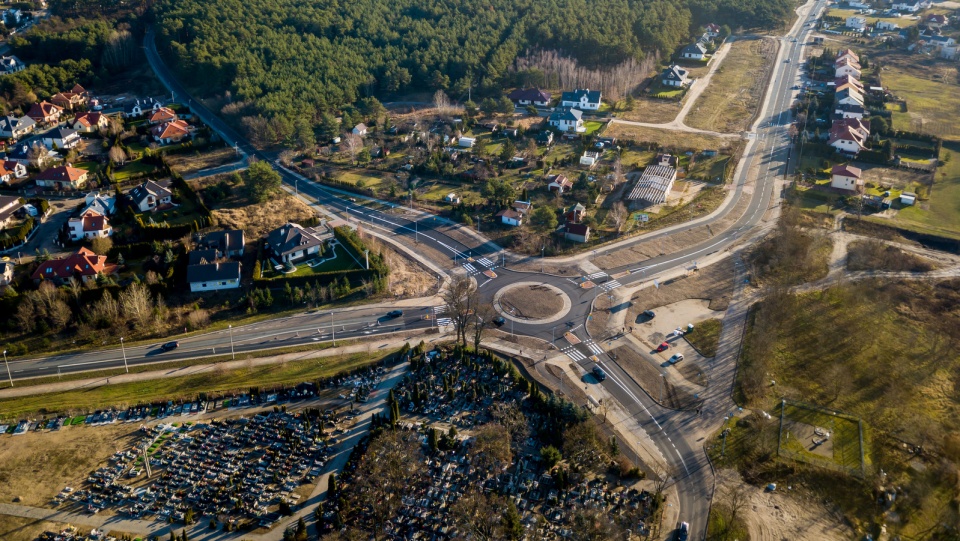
(783, 514)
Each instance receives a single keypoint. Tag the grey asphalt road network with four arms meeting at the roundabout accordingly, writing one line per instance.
(767, 155)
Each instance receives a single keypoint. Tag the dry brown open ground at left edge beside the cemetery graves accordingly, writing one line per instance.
(37, 465)
